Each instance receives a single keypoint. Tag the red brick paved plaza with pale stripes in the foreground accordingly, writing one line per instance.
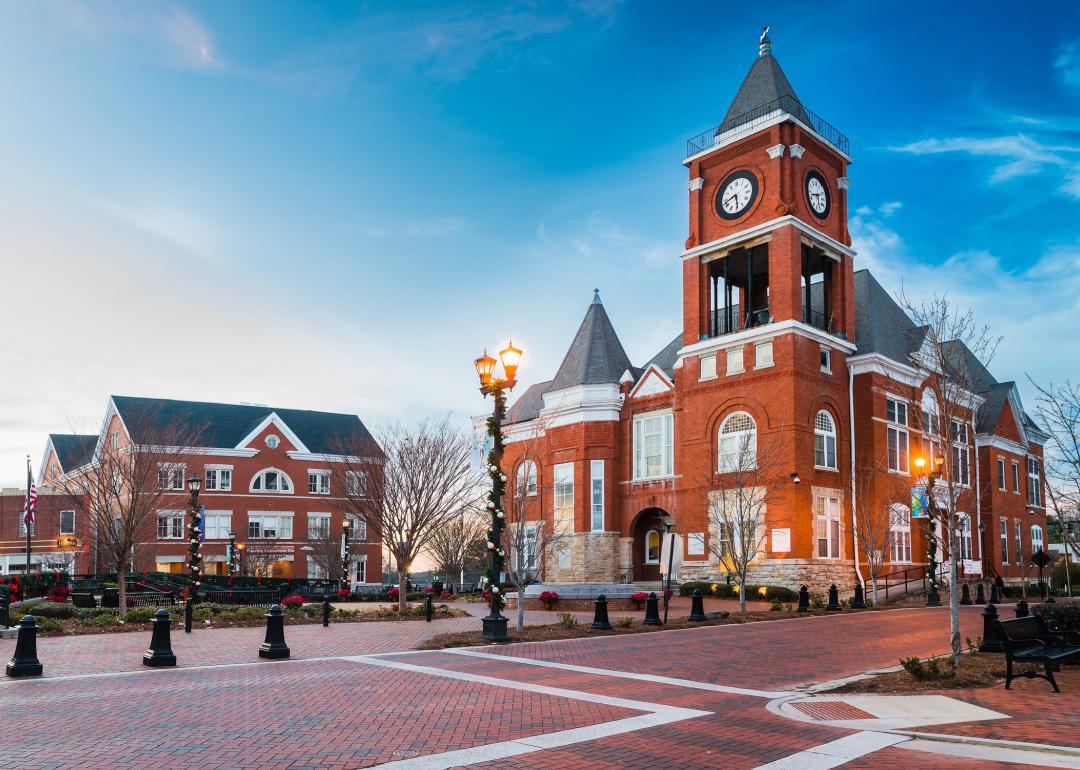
(357, 696)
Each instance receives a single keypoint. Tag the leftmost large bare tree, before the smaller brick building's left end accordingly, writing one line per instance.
(131, 483)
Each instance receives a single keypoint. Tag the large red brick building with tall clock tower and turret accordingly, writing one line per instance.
(784, 344)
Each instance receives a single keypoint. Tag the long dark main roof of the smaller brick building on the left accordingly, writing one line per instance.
(226, 426)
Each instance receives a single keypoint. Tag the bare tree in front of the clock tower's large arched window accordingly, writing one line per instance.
(751, 479)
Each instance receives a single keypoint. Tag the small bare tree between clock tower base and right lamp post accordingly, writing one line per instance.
(880, 497)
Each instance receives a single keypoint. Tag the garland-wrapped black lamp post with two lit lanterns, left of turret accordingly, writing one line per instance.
(495, 624)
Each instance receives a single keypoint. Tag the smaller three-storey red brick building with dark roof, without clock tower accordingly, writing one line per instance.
(272, 477)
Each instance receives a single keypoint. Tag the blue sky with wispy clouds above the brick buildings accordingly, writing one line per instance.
(340, 206)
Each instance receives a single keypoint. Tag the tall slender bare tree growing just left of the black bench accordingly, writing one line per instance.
(952, 363)
